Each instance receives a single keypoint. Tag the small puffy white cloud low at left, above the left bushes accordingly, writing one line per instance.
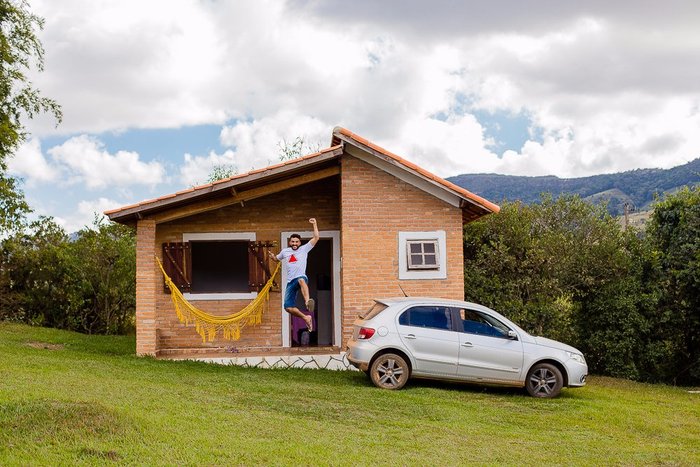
(85, 160)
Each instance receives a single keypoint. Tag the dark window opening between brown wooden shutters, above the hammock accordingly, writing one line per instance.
(220, 267)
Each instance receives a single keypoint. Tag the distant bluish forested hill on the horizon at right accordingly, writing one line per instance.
(636, 187)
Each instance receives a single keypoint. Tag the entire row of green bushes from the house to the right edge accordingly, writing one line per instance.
(567, 270)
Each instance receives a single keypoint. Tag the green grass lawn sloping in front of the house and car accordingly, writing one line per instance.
(67, 398)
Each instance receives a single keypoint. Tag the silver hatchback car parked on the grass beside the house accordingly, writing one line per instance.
(399, 338)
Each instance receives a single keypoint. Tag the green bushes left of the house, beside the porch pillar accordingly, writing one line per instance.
(86, 284)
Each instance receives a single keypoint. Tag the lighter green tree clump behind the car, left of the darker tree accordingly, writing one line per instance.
(562, 269)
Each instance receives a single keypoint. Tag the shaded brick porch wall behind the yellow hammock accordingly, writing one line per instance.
(266, 217)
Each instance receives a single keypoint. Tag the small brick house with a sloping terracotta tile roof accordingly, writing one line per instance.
(372, 208)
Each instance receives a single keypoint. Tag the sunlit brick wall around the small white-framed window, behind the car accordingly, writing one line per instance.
(375, 207)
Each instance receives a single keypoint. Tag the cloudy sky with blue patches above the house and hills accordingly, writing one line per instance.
(524, 88)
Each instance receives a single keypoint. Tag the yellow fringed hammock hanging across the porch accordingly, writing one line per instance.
(206, 324)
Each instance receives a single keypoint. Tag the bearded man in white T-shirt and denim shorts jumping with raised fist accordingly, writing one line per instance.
(294, 257)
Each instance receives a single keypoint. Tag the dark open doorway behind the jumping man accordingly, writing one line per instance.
(319, 269)
